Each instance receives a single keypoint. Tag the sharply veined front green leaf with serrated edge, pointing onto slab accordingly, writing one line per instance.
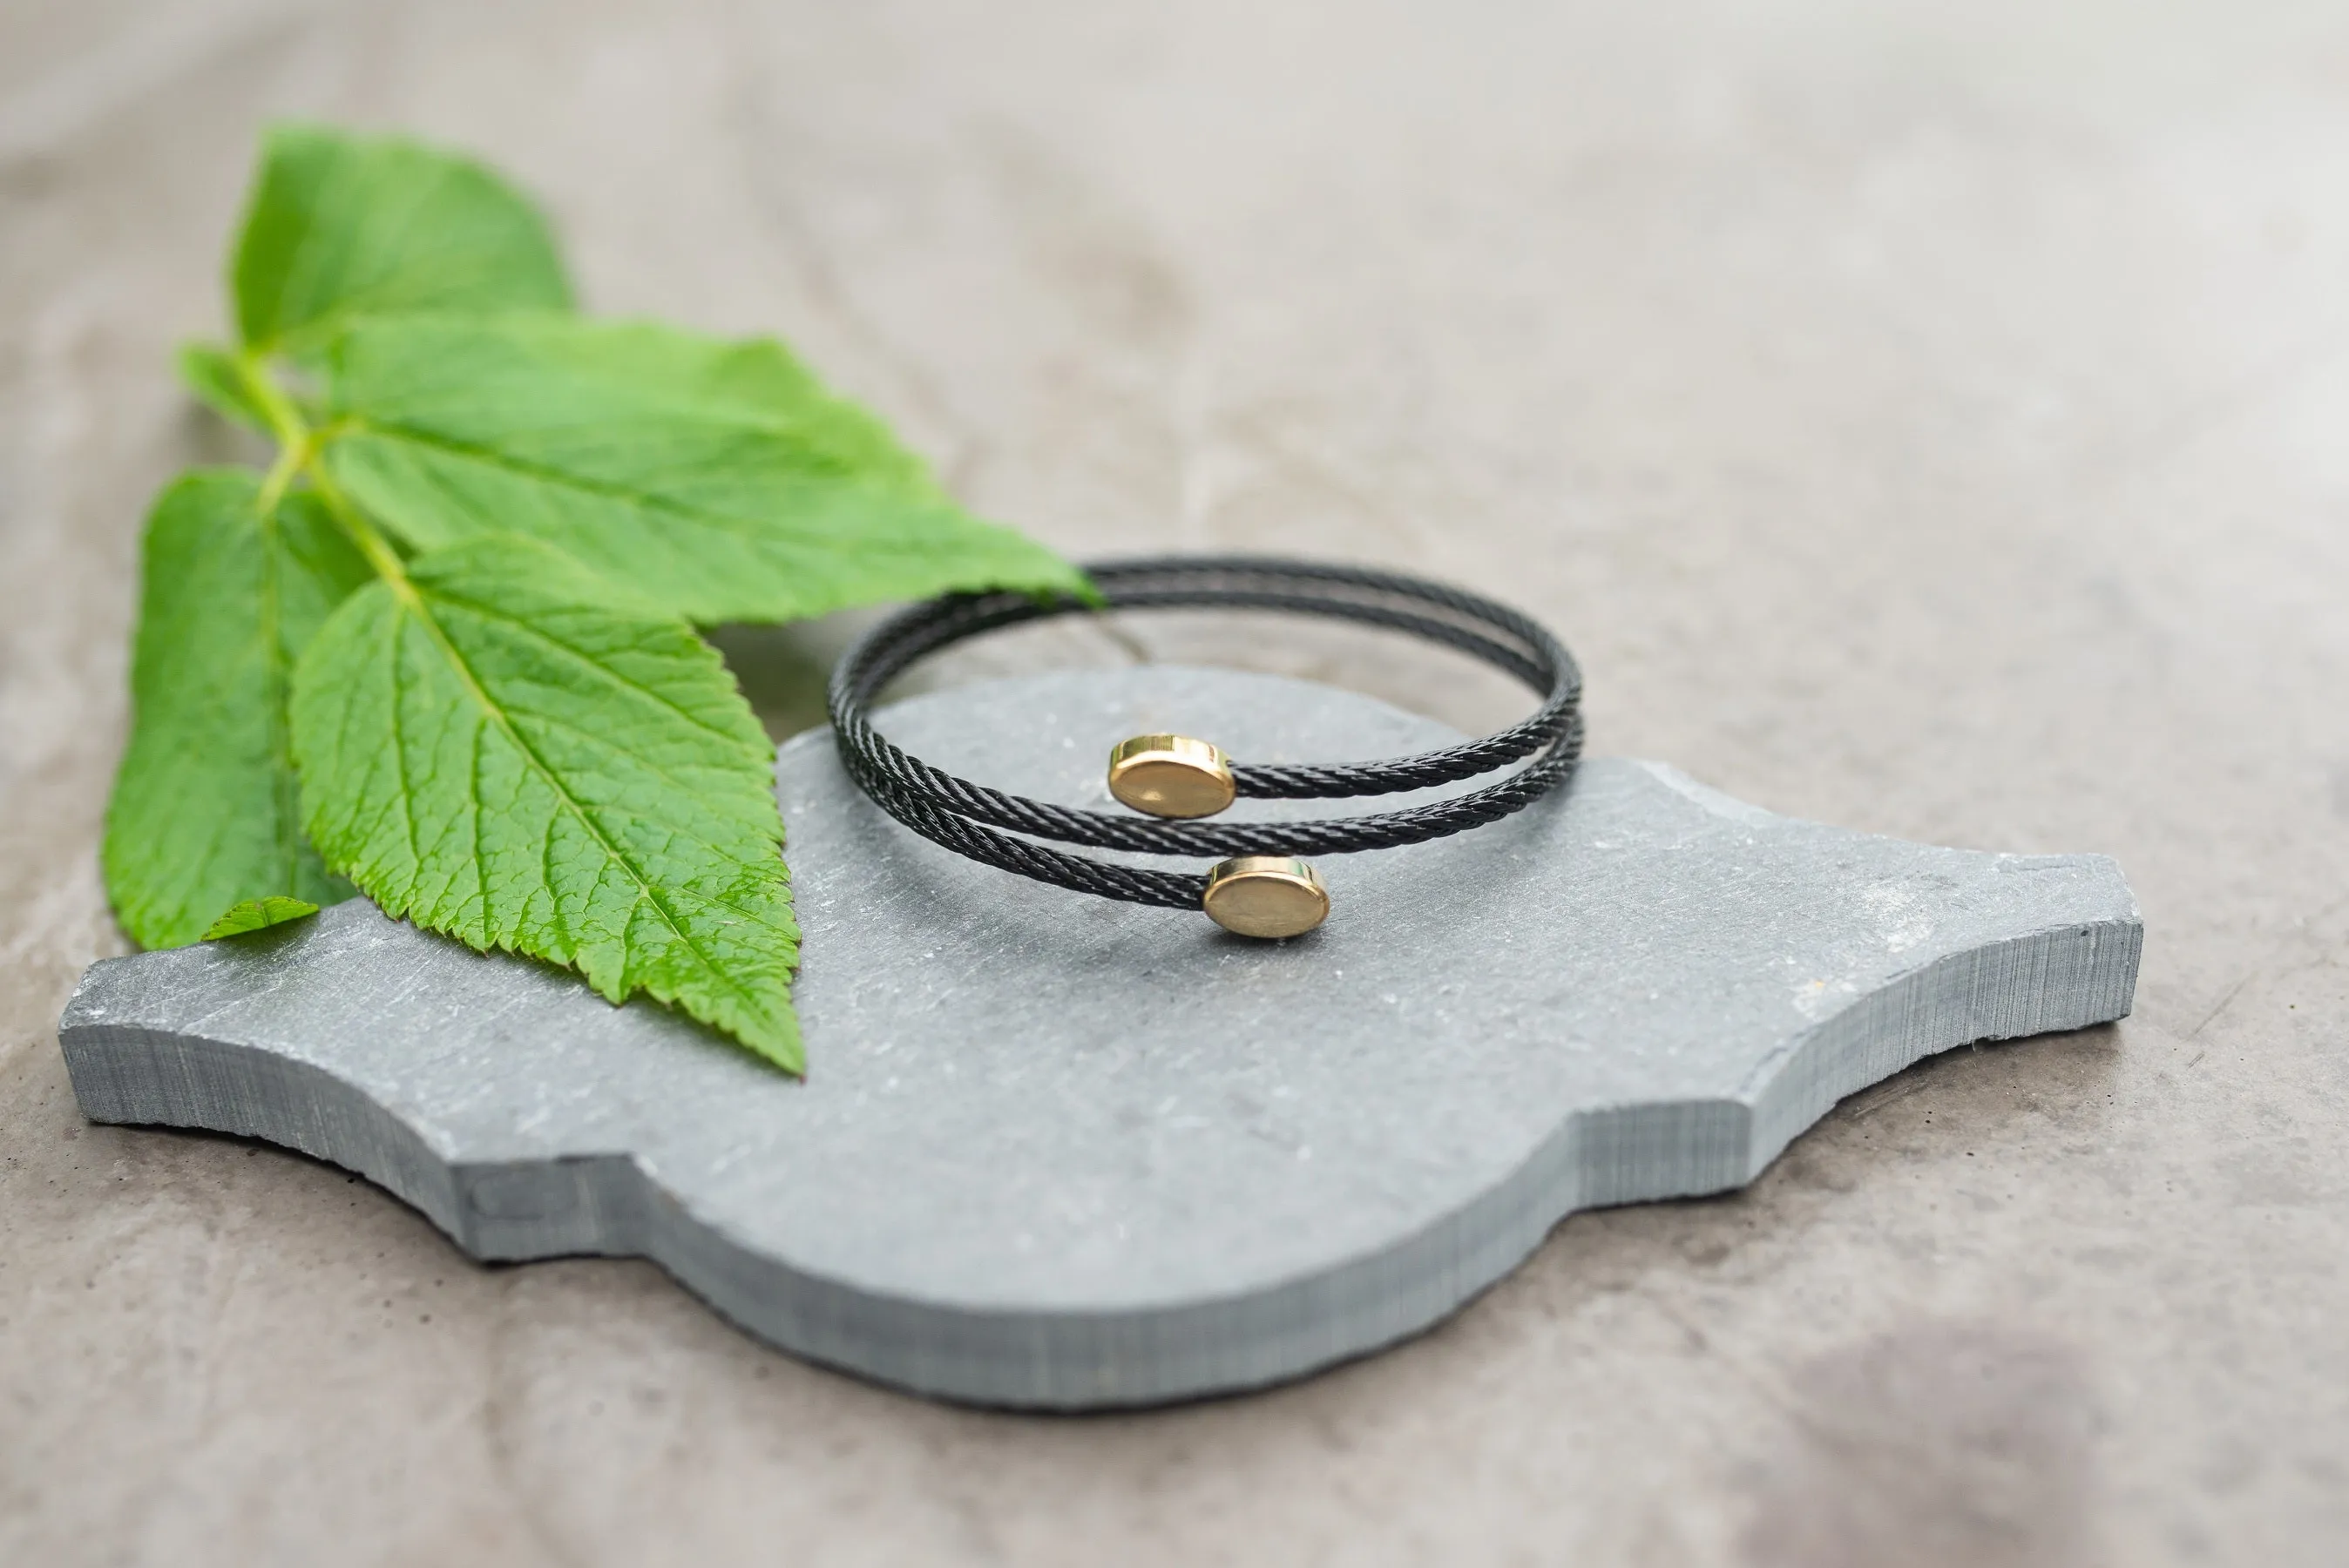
(497, 752)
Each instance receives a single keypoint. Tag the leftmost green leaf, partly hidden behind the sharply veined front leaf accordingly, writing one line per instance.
(206, 804)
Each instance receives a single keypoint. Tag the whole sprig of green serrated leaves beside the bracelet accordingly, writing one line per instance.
(447, 640)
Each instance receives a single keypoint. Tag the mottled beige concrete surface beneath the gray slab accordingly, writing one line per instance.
(1920, 417)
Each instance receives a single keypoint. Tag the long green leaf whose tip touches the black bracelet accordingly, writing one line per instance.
(718, 480)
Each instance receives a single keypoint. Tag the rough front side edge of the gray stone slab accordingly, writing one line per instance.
(605, 1205)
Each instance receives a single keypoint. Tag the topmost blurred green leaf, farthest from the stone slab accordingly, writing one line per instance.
(344, 227)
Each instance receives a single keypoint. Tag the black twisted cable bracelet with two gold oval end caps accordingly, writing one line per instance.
(1263, 888)
